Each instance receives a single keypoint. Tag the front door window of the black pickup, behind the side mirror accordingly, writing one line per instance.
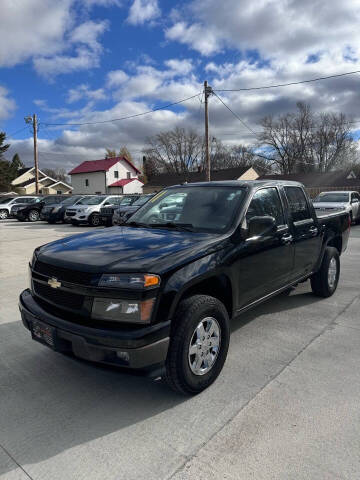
(266, 202)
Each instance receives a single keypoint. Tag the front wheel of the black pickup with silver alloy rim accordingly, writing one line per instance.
(199, 344)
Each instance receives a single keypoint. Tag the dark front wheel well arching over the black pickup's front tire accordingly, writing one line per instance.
(218, 287)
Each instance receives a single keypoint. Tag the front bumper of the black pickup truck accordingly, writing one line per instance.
(143, 349)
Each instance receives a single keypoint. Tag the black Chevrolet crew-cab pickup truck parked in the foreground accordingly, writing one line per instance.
(158, 297)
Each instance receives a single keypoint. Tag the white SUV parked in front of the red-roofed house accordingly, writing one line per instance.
(88, 209)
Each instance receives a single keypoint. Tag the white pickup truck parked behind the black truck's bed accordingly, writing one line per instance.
(350, 201)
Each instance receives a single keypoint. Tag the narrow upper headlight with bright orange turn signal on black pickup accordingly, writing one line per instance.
(141, 281)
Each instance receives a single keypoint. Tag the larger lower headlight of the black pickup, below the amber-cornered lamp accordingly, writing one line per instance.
(119, 310)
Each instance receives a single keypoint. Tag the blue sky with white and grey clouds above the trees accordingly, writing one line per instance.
(76, 61)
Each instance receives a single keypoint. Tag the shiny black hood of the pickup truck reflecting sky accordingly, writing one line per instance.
(128, 249)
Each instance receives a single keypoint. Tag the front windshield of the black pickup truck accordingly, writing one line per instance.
(203, 209)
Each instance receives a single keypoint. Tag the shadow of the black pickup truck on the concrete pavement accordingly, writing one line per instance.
(51, 403)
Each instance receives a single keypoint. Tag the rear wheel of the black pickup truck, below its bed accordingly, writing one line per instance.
(325, 281)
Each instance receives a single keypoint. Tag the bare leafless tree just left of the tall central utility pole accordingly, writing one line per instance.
(177, 151)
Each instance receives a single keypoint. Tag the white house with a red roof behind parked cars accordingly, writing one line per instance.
(109, 175)
